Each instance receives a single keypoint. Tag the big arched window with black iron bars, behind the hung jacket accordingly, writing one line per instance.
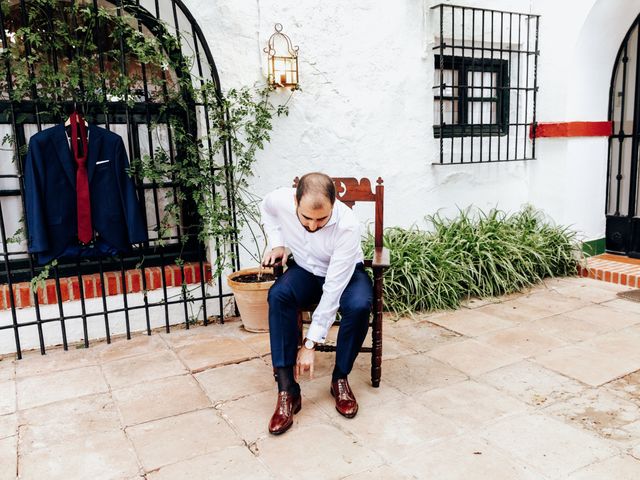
(142, 115)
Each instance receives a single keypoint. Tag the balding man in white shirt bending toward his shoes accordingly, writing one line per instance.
(324, 236)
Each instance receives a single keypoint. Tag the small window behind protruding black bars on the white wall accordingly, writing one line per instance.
(485, 84)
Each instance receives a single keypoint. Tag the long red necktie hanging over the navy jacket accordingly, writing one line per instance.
(85, 230)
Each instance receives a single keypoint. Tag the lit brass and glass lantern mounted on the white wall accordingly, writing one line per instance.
(282, 60)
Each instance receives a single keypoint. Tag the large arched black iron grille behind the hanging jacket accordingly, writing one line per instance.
(140, 123)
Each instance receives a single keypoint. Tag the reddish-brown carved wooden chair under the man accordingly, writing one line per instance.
(349, 191)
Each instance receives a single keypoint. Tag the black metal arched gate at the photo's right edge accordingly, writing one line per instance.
(622, 208)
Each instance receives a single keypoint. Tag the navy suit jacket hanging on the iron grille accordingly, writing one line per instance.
(50, 193)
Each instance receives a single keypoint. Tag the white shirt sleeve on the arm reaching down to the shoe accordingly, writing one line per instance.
(341, 267)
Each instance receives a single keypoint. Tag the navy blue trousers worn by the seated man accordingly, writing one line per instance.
(298, 287)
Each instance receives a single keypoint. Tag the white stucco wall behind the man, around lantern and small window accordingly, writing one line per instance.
(366, 105)
